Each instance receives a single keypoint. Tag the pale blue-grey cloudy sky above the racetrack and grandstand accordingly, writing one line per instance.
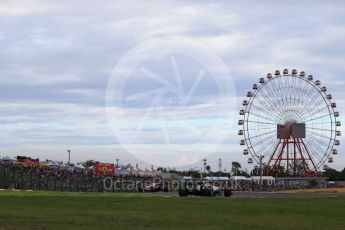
(61, 65)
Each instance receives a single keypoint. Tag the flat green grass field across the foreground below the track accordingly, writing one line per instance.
(45, 210)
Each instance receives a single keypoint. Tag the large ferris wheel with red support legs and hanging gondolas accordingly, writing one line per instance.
(289, 120)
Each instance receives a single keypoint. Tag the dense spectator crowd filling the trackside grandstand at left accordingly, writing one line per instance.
(16, 175)
